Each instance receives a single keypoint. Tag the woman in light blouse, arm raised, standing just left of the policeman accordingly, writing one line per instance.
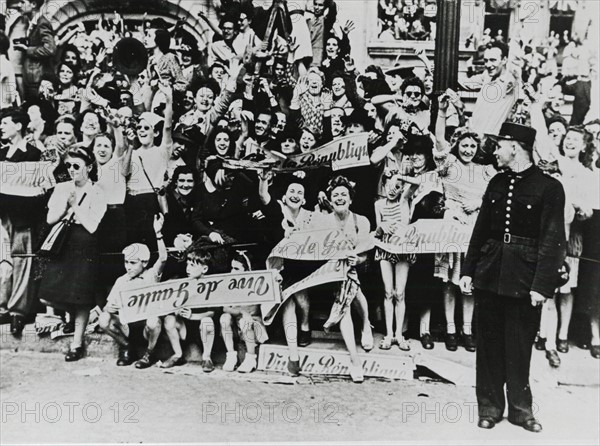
(464, 182)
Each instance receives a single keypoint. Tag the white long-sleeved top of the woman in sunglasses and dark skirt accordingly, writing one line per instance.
(92, 208)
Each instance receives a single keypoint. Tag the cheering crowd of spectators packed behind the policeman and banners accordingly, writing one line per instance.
(149, 175)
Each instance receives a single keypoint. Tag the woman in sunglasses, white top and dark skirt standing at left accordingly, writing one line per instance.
(70, 280)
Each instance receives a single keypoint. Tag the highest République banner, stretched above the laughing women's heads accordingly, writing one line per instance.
(341, 153)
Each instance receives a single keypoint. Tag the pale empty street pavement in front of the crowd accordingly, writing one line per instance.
(43, 399)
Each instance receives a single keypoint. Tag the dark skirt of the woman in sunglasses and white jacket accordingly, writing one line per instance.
(71, 278)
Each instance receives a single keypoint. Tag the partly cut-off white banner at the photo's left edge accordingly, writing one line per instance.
(26, 179)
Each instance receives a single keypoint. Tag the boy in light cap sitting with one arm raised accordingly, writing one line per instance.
(137, 275)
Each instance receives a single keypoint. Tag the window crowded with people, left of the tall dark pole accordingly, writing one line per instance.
(406, 19)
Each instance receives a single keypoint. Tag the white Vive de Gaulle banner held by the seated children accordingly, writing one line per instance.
(240, 288)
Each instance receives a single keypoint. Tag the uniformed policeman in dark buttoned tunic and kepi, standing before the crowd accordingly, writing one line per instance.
(515, 252)
